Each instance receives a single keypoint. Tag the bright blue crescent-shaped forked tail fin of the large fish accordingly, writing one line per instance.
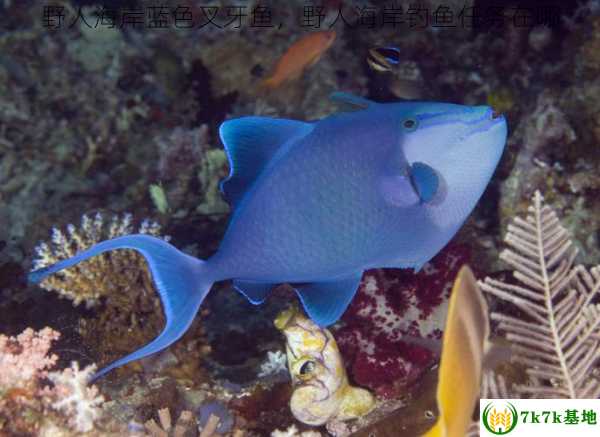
(180, 279)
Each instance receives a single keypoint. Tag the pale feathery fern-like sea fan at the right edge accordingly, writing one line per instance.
(558, 339)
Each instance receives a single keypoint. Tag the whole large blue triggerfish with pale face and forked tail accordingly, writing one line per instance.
(317, 203)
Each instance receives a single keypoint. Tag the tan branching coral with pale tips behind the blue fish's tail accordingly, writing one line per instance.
(102, 275)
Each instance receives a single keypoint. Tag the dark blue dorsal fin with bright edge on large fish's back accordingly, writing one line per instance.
(250, 143)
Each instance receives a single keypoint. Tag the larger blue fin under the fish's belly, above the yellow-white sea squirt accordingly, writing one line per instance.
(326, 301)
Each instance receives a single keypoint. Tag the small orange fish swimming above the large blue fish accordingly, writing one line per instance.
(304, 53)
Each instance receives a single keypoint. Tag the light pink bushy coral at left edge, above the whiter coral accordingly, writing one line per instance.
(24, 359)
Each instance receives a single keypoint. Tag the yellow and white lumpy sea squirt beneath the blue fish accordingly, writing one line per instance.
(321, 388)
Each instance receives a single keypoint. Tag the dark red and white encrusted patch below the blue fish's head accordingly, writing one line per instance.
(392, 311)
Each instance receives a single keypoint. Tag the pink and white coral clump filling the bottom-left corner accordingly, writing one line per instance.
(31, 406)
